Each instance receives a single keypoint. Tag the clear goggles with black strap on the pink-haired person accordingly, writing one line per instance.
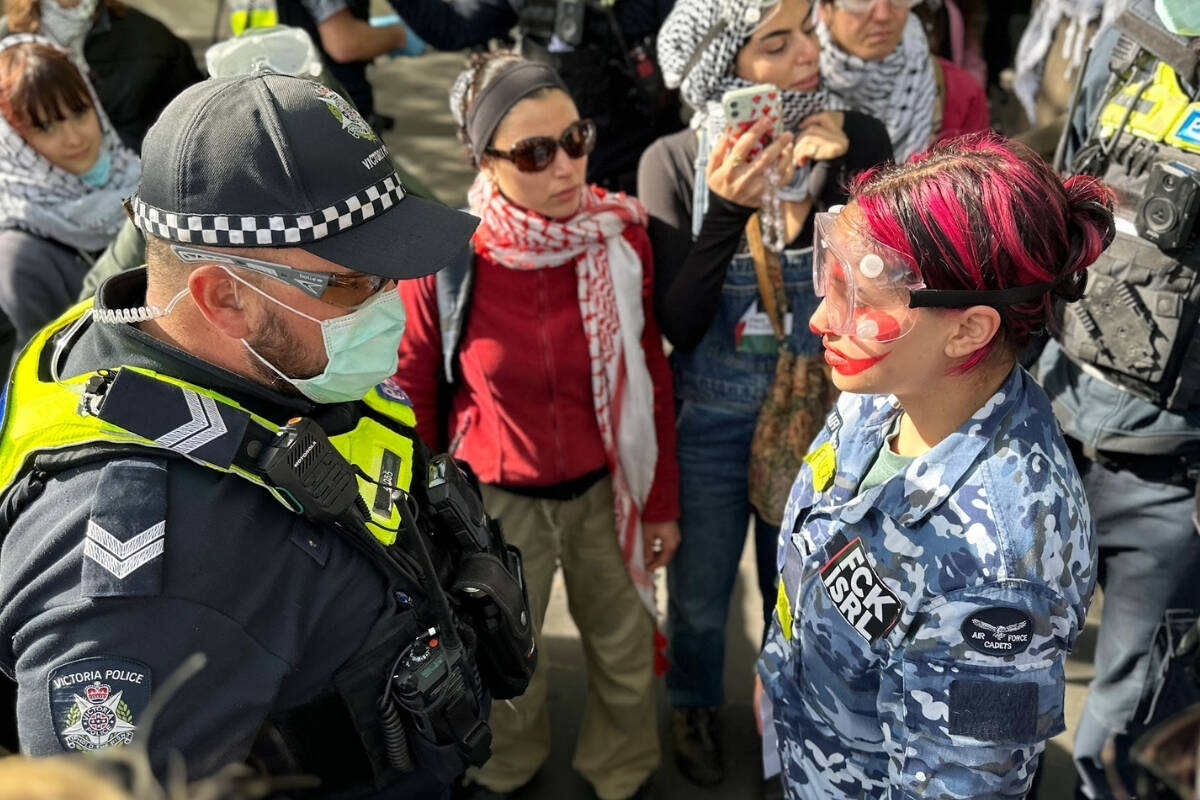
(872, 292)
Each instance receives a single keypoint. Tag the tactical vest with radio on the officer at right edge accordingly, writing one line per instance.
(1137, 324)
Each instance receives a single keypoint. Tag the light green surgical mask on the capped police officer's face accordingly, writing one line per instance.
(362, 347)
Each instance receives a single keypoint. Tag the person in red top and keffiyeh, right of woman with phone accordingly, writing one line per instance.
(875, 59)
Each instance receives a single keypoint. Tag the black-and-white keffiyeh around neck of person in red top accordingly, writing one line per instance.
(899, 91)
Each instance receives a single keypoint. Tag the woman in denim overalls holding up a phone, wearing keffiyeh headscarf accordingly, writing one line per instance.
(701, 190)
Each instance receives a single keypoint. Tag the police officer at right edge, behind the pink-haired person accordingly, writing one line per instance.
(1125, 375)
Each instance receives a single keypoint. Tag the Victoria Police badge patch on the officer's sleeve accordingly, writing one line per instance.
(97, 703)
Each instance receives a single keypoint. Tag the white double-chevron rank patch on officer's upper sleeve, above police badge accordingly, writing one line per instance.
(127, 533)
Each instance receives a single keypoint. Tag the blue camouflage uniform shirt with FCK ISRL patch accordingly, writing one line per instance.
(917, 648)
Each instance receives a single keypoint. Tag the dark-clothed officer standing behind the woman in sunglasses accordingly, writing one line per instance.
(603, 50)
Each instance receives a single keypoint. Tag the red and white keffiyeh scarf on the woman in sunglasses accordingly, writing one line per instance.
(610, 291)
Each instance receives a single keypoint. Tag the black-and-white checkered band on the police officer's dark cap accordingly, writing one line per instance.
(268, 231)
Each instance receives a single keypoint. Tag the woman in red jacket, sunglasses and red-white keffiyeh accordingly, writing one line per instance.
(561, 404)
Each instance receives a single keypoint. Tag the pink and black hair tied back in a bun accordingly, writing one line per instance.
(987, 213)
